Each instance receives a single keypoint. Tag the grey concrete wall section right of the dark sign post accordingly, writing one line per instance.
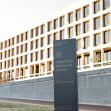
(95, 87)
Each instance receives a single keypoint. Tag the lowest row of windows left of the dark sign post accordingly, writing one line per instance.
(23, 72)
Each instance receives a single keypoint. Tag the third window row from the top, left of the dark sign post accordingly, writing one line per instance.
(39, 55)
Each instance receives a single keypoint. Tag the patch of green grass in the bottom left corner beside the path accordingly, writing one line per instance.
(8, 106)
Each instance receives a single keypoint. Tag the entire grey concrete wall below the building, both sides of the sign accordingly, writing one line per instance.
(94, 87)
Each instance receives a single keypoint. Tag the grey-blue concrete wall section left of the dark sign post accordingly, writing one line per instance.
(38, 89)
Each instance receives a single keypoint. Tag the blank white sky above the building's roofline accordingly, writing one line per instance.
(16, 16)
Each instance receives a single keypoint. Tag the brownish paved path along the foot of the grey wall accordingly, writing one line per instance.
(47, 105)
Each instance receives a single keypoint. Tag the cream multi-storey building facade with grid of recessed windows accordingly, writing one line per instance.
(29, 55)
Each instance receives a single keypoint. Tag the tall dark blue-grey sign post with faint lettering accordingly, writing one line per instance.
(65, 75)
